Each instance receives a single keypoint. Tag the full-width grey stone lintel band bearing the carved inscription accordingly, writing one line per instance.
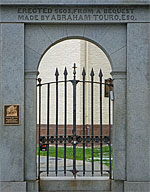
(75, 14)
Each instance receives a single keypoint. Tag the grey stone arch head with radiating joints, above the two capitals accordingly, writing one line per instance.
(55, 34)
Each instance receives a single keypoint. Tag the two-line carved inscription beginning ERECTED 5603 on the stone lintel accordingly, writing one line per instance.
(52, 14)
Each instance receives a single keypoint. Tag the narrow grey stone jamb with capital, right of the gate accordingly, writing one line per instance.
(119, 131)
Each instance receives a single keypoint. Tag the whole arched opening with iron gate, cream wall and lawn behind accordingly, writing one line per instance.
(74, 111)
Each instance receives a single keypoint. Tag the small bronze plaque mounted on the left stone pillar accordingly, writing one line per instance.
(11, 114)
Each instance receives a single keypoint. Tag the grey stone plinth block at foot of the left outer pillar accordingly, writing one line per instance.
(13, 186)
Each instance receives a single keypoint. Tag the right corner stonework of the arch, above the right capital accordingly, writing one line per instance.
(114, 43)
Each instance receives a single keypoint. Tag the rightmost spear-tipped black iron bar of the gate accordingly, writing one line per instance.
(101, 124)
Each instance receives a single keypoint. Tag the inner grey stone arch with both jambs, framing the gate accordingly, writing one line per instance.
(103, 36)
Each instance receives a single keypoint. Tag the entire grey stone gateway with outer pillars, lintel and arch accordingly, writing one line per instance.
(125, 40)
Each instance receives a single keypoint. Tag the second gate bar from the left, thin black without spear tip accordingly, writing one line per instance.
(48, 105)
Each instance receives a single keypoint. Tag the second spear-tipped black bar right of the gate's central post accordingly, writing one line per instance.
(92, 116)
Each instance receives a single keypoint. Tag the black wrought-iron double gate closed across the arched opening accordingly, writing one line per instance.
(83, 140)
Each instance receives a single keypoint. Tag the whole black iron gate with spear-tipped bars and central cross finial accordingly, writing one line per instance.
(74, 139)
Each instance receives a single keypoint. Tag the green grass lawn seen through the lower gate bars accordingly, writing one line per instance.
(79, 153)
